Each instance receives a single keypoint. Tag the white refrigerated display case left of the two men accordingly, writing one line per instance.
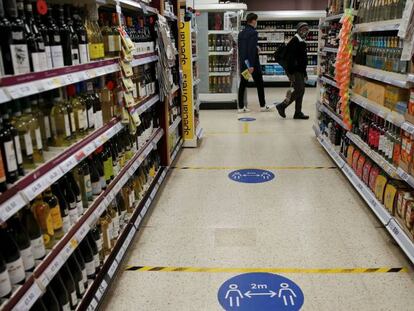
(218, 27)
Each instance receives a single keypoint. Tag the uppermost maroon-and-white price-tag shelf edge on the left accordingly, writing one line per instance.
(19, 86)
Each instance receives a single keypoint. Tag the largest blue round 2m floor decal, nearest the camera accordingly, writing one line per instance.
(260, 291)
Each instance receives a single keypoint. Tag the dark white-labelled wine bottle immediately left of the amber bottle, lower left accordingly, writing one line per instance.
(34, 232)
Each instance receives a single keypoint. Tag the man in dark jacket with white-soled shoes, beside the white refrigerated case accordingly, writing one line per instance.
(248, 50)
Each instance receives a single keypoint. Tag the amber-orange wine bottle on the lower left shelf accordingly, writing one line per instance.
(41, 211)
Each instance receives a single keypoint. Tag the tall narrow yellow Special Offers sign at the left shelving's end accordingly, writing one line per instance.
(187, 80)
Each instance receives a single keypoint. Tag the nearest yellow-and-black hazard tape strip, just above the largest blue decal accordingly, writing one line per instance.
(269, 270)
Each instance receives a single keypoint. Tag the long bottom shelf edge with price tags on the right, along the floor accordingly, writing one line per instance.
(380, 211)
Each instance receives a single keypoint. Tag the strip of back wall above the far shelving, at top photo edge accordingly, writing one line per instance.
(276, 5)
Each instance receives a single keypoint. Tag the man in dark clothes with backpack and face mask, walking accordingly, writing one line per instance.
(296, 71)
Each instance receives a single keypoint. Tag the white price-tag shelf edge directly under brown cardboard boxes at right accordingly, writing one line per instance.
(385, 113)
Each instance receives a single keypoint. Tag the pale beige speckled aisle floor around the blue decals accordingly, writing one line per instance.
(307, 217)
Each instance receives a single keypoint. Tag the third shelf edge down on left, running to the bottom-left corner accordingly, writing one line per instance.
(27, 295)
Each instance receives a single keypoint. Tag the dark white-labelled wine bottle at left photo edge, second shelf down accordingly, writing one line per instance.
(8, 152)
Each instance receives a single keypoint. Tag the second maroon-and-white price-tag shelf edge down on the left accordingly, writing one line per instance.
(27, 188)
